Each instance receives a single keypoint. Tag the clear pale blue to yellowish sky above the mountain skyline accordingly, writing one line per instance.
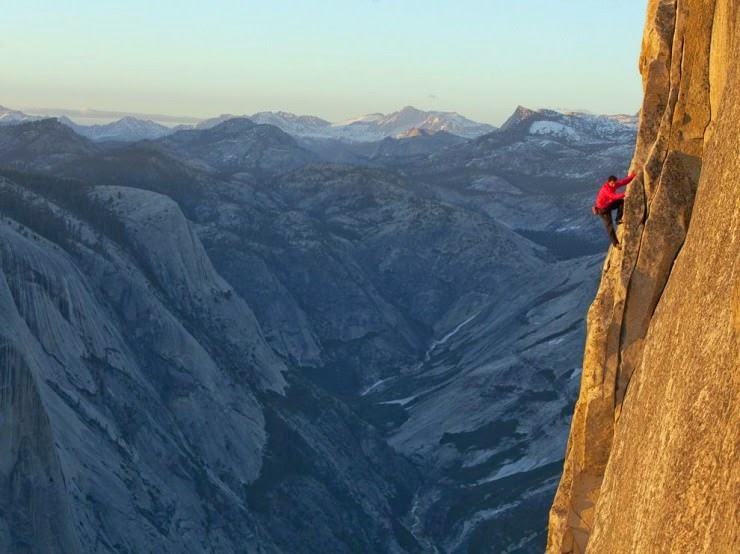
(331, 58)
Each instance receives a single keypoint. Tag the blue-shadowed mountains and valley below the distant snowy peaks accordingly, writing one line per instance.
(231, 338)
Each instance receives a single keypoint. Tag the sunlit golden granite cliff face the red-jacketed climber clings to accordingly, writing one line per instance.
(652, 457)
